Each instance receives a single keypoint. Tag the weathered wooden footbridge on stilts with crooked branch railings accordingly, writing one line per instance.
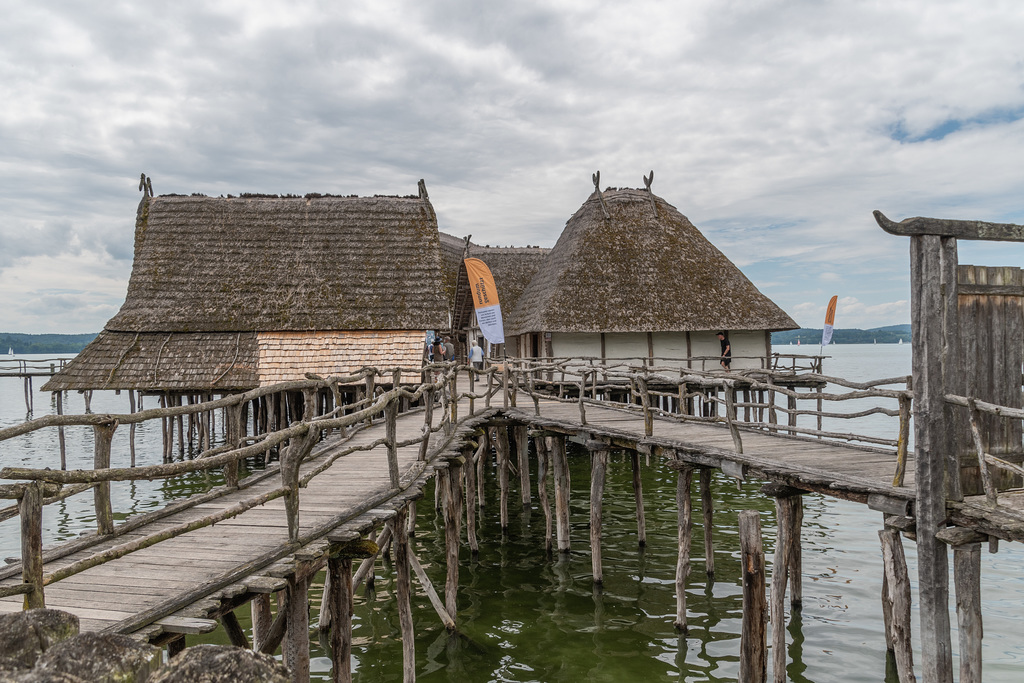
(358, 471)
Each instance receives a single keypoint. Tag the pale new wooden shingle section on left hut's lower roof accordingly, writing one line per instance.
(289, 356)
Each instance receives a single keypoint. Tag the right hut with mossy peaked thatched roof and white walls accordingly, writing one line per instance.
(632, 278)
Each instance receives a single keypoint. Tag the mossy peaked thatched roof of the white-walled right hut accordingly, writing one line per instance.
(644, 269)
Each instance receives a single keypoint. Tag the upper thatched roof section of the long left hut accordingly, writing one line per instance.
(289, 264)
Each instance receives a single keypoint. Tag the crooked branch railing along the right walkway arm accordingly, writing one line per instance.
(688, 395)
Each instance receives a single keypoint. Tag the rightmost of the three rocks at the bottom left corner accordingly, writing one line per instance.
(223, 664)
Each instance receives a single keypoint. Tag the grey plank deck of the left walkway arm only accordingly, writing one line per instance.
(121, 589)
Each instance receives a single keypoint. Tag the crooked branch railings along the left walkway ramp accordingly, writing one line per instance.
(296, 443)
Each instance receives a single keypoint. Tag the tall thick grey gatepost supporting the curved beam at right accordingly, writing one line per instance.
(933, 283)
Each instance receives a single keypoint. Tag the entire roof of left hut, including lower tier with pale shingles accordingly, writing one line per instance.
(231, 293)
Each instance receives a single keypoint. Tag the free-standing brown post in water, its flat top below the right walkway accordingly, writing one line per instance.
(753, 652)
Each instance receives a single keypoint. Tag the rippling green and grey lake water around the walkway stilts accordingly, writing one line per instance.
(528, 617)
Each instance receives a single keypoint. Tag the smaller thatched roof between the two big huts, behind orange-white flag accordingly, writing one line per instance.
(513, 269)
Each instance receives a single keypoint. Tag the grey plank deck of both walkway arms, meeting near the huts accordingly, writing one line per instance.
(108, 596)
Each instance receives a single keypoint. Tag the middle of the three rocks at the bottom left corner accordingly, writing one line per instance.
(102, 659)
